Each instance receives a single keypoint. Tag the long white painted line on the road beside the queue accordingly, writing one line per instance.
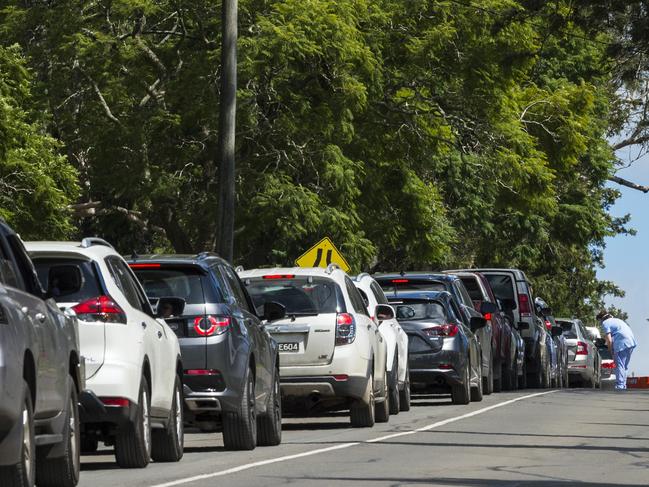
(342, 446)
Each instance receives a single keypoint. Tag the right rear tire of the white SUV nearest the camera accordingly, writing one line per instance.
(133, 441)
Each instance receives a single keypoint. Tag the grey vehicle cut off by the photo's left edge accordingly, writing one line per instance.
(40, 377)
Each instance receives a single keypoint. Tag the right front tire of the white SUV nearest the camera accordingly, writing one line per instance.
(168, 444)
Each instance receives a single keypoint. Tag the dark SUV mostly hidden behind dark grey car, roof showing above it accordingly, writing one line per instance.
(394, 284)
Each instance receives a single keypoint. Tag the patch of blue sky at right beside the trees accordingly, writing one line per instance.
(627, 262)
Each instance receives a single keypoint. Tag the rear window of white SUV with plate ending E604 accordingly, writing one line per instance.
(300, 295)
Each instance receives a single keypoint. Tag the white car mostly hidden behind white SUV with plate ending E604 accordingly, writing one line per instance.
(397, 344)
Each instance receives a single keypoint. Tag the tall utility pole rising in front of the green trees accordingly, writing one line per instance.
(227, 125)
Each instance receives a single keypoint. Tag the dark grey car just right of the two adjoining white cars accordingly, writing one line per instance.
(443, 352)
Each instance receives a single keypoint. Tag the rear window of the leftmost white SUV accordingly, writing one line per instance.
(90, 285)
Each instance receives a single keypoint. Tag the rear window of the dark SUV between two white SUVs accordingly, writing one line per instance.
(186, 282)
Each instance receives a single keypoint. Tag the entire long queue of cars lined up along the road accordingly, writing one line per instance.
(129, 352)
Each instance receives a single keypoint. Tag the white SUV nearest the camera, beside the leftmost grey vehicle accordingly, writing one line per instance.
(133, 398)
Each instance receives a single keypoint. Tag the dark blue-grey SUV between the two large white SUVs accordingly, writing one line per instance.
(231, 377)
